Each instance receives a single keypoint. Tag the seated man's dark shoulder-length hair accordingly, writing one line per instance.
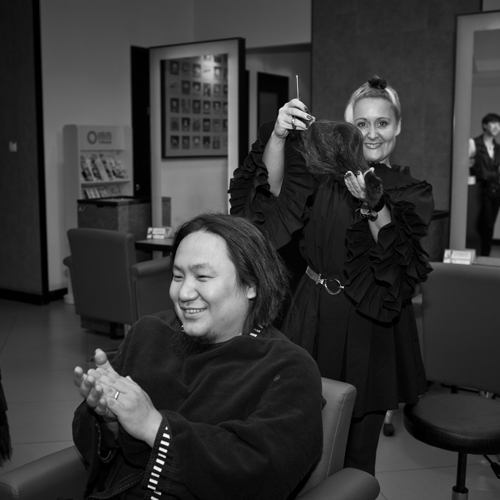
(256, 261)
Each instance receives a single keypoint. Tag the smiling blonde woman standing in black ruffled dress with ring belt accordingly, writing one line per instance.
(361, 221)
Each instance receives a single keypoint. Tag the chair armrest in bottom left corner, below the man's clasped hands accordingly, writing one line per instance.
(60, 474)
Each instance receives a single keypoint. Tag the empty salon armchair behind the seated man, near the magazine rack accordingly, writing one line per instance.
(108, 282)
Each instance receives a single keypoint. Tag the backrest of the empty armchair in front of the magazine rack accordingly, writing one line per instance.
(100, 274)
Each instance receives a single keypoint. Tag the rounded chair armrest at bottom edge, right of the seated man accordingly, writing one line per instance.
(347, 484)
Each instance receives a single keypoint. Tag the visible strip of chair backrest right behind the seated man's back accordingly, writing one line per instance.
(340, 398)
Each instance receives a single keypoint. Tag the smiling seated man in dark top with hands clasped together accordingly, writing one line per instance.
(208, 401)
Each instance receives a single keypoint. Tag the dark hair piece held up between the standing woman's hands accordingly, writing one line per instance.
(333, 148)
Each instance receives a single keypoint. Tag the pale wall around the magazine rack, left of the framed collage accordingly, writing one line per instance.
(86, 80)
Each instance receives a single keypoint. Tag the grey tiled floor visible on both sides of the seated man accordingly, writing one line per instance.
(40, 345)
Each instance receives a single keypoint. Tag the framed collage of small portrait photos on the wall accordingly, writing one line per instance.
(195, 106)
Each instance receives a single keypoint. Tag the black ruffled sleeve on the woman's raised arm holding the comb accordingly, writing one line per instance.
(250, 195)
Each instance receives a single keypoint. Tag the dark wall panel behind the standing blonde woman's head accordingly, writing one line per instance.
(411, 43)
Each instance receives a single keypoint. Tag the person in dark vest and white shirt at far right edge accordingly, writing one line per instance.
(484, 153)
